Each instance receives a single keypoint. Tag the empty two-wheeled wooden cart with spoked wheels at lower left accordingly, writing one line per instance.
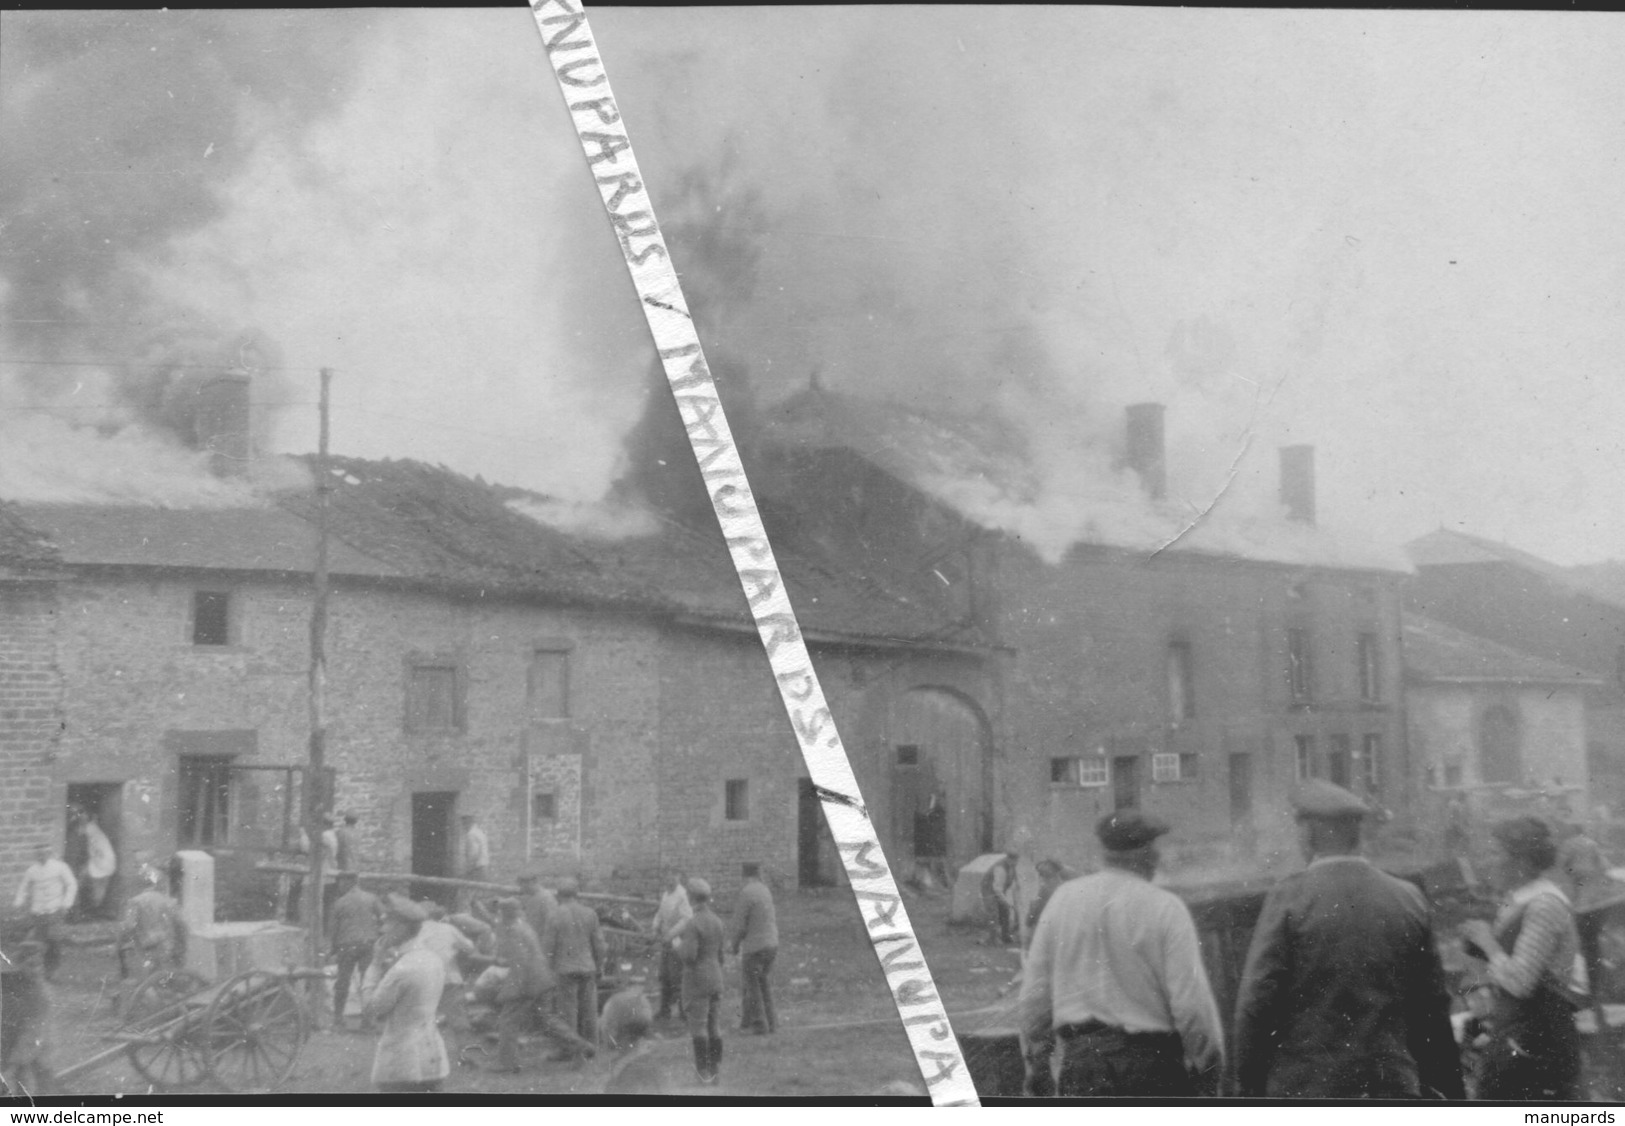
(180, 1031)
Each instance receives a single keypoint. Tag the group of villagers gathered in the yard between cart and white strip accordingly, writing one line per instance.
(531, 966)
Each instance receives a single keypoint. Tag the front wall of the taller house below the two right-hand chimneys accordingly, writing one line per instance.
(1093, 680)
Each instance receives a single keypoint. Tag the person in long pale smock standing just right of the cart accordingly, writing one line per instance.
(410, 1055)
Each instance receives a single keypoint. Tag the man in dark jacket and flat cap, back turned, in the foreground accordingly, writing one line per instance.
(1343, 995)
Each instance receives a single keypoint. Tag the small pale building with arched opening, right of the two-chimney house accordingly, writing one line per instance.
(1502, 729)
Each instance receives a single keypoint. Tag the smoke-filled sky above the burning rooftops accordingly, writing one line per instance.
(1387, 235)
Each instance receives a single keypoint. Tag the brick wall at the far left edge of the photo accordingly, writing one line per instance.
(30, 725)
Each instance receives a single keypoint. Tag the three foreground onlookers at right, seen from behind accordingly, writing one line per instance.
(1343, 994)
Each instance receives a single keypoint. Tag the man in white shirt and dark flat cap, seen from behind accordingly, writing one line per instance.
(1117, 976)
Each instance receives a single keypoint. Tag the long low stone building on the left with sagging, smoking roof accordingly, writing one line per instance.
(600, 703)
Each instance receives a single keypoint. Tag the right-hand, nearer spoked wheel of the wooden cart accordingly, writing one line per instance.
(253, 1031)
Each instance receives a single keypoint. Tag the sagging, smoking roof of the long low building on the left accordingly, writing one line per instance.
(430, 527)
